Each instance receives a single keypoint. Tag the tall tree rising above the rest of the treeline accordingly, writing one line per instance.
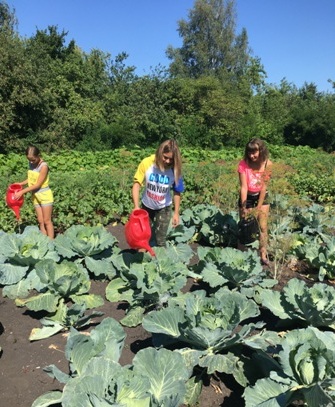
(210, 44)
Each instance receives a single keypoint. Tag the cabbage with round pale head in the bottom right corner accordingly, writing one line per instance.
(307, 362)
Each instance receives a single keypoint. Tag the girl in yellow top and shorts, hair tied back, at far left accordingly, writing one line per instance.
(38, 184)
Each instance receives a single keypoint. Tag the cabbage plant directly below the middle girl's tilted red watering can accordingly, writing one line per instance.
(146, 282)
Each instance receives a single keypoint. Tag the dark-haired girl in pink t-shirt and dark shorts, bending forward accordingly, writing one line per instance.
(254, 174)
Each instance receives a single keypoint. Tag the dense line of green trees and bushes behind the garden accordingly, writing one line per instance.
(212, 95)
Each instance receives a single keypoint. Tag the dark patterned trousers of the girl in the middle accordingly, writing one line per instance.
(160, 220)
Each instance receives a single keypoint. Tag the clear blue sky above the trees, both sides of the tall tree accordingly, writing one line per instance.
(295, 39)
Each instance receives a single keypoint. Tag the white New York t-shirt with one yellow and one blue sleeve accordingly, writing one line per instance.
(158, 184)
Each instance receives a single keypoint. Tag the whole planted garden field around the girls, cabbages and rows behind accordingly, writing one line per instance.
(201, 323)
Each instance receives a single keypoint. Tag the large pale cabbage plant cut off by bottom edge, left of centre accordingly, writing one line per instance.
(155, 378)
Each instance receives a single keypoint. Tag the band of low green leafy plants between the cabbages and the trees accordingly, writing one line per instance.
(95, 187)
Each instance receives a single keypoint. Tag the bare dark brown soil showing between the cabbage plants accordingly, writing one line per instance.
(22, 378)
